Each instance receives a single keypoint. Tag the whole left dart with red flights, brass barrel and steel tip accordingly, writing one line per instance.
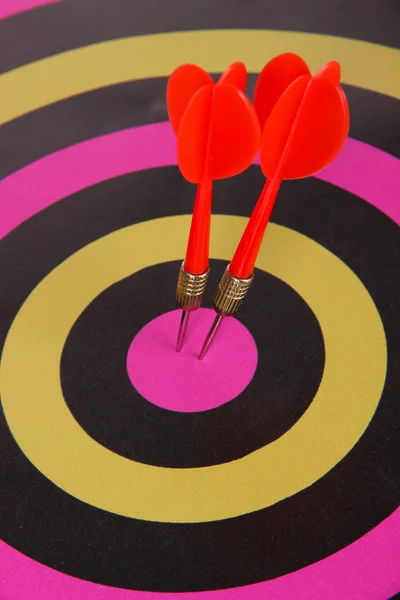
(218, 137)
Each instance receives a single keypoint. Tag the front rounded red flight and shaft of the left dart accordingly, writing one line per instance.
(218, 138)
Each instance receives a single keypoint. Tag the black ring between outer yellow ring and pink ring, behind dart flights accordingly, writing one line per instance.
(88, 115)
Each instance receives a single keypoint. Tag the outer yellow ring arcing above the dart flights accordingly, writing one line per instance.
(49, 80)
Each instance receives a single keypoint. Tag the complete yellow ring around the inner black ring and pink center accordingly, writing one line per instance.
(54, 442)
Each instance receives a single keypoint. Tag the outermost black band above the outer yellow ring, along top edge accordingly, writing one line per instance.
(78, 23)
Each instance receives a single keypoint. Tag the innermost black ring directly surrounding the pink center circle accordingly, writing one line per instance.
(102, 399)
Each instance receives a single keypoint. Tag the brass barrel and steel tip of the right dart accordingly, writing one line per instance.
(228, 298)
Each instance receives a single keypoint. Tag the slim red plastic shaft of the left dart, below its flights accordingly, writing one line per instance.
(196, 260)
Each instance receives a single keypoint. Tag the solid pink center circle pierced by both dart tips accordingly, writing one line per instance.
(180, 382)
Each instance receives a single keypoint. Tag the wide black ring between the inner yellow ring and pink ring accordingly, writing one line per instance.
(49, 525)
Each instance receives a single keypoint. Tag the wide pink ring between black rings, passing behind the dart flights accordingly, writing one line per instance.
(367, 568)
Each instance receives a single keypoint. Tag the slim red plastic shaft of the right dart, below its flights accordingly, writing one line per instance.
(244, 259)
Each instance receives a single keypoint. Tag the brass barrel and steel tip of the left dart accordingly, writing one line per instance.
(189, 296)
